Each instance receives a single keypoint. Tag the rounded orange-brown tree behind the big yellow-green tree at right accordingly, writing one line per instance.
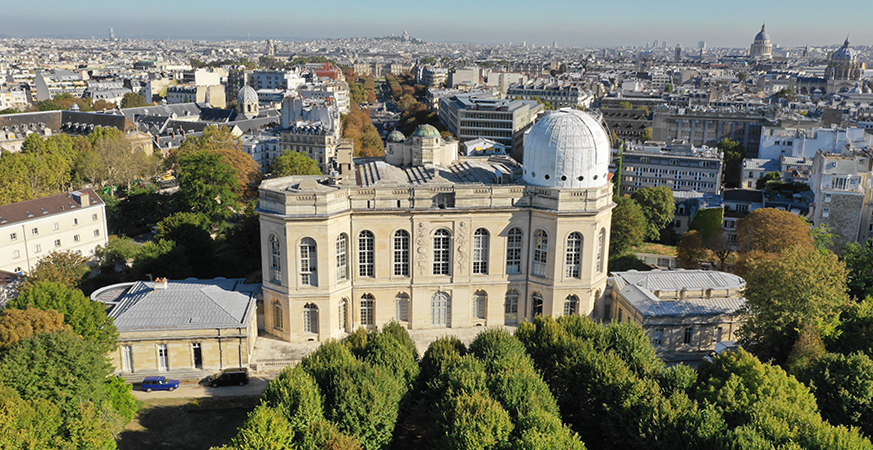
(771, 230)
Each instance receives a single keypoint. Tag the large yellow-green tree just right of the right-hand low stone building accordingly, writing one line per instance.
(782, 292)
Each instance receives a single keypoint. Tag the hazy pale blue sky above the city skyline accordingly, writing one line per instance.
(593, 23)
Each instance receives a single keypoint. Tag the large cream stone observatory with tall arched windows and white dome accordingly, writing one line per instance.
(435, 240)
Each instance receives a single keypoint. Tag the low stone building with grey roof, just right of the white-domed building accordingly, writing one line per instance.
(684, 312)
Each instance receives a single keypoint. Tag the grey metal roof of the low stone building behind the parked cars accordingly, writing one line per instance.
(188, 304)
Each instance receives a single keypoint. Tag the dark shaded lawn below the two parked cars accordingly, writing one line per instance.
(186, 423)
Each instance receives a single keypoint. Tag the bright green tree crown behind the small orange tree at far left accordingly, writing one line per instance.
(87, 318)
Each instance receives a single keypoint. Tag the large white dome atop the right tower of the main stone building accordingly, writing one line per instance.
(567, 149)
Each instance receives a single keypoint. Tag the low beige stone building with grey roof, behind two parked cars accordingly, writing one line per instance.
(182, 326)
